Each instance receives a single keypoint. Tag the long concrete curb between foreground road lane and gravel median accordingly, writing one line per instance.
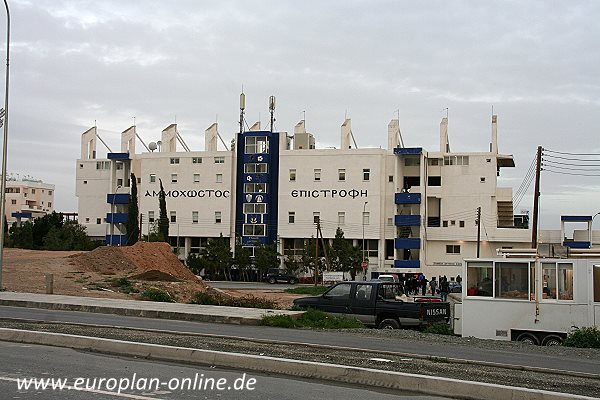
(305, 369)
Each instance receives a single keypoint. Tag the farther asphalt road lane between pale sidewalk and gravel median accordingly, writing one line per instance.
(508, 356)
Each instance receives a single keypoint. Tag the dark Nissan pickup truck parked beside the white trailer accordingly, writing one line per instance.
(380, 304)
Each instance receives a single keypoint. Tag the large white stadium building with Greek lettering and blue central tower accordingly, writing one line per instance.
(415, 210)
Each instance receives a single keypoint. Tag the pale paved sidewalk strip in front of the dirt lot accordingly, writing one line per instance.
(137, 308)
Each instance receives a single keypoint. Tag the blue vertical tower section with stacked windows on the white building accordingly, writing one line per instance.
(257, 155)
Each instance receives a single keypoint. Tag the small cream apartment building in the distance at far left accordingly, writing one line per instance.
(27, 199)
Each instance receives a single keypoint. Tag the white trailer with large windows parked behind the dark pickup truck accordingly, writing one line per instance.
(533, 300)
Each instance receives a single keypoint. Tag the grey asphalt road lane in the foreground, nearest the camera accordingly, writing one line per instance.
(32, 361)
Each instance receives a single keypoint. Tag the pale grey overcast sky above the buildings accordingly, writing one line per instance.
(536, 63)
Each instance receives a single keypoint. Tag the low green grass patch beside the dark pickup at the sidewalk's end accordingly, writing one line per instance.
(312, 319)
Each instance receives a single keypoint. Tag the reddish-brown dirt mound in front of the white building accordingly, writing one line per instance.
(156, 260)
